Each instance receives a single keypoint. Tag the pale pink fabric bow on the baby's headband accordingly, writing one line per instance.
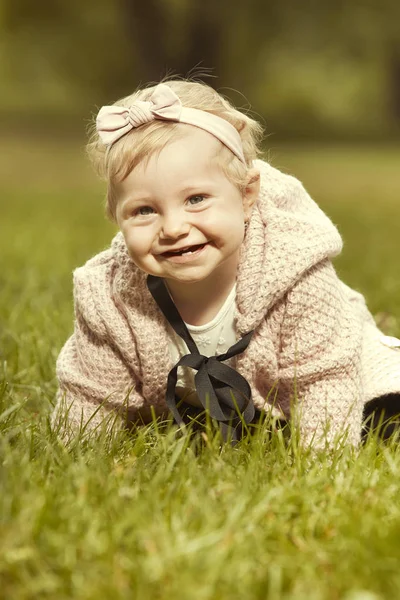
(113, 122)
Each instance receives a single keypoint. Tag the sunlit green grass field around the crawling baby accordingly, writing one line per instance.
(153, 515)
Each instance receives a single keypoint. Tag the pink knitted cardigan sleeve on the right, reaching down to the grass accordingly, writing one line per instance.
(320, 359)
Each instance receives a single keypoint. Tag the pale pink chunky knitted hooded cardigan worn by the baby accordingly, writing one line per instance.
(316, 354)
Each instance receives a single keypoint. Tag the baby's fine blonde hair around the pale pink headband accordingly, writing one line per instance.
(114, 163)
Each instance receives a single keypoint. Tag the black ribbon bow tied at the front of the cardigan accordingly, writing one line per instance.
(222, 391)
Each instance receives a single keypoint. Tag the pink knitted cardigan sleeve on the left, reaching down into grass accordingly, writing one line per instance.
(96, 387)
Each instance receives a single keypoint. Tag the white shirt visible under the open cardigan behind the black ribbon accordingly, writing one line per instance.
(213, 338)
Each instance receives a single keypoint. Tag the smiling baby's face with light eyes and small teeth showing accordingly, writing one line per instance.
(181, 218)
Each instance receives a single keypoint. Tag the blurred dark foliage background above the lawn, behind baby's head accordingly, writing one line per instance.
(310, 69)
